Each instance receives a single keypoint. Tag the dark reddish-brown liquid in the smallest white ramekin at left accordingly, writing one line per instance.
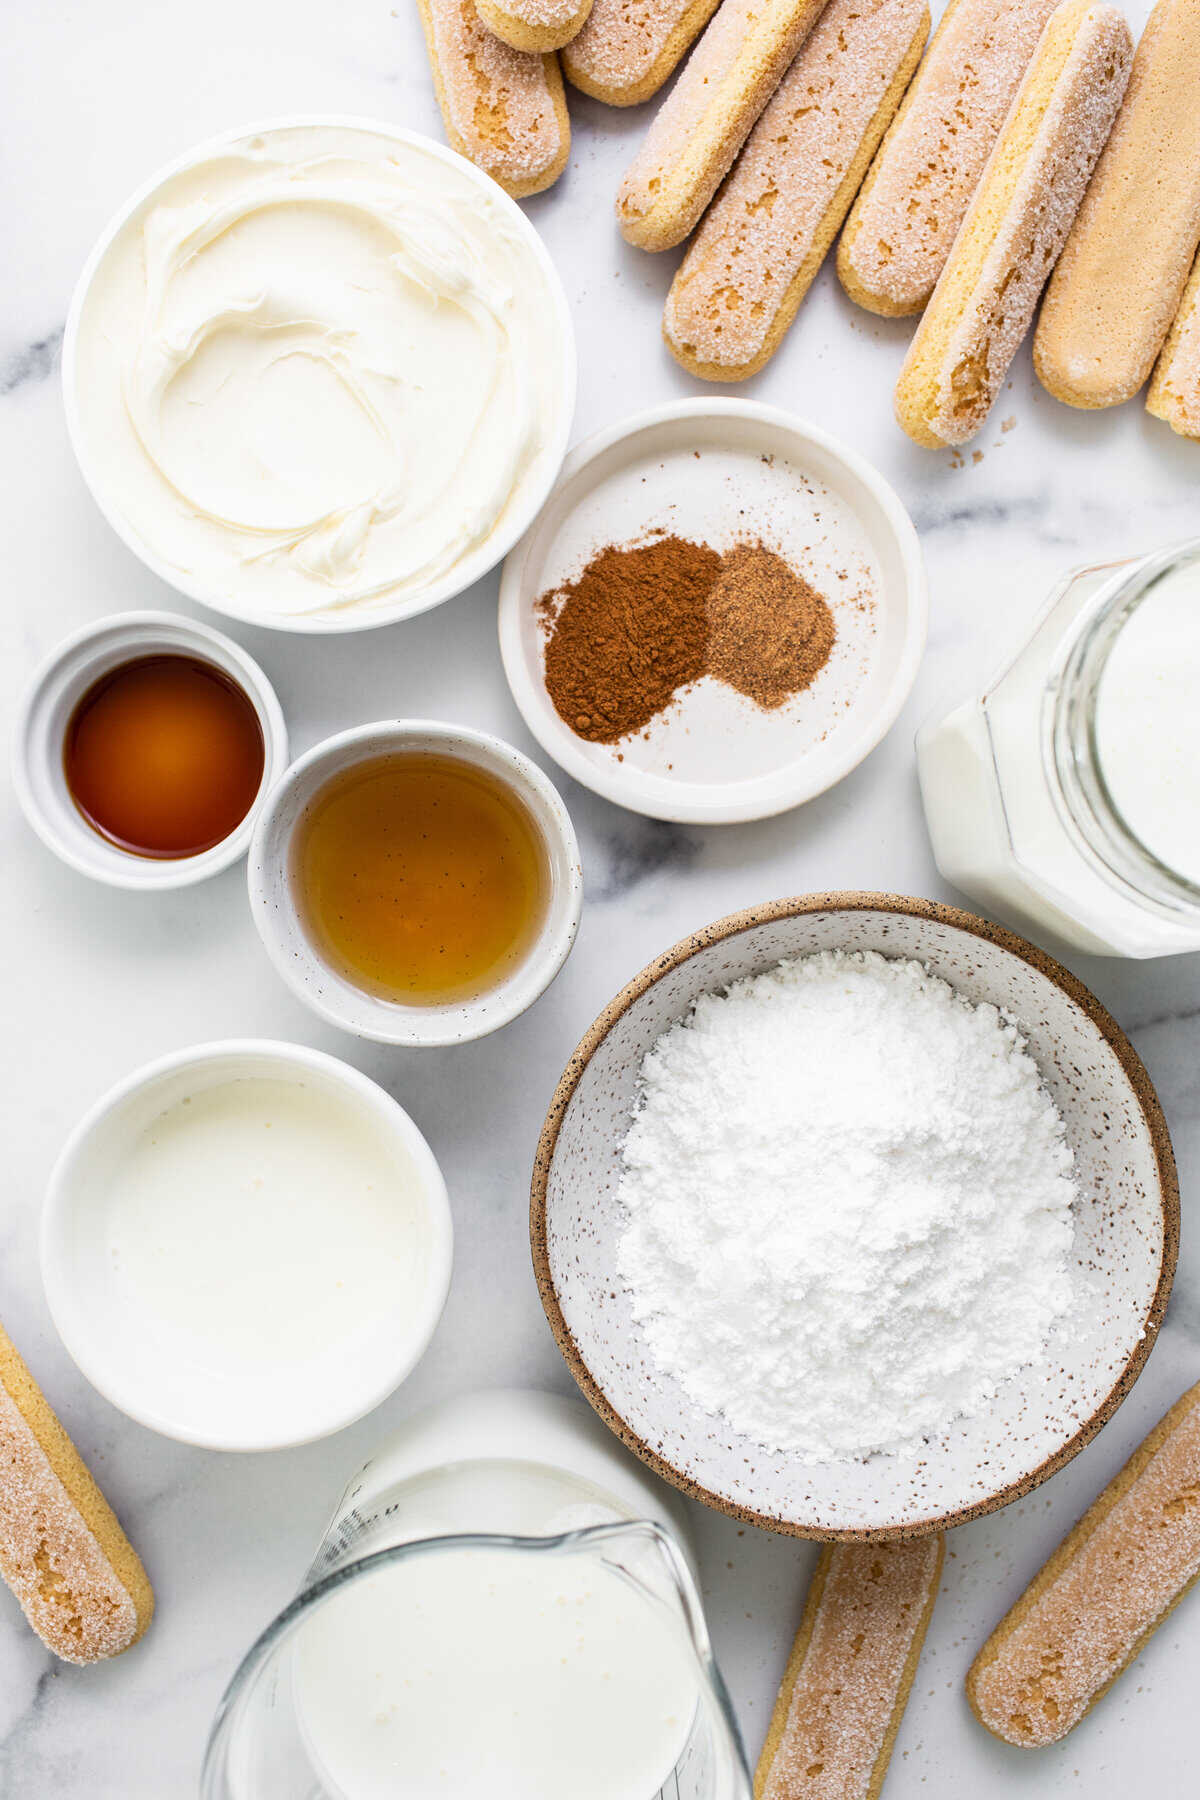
(165, 757)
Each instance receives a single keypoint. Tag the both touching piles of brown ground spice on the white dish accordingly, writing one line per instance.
(649, 620)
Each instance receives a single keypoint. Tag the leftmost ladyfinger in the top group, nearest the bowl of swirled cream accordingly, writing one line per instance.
(503, 109)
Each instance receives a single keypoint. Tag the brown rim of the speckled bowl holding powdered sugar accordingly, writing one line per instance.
(854, 901)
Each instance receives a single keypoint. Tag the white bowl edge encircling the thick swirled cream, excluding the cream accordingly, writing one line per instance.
(467, 571)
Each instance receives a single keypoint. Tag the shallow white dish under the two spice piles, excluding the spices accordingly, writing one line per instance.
(719, 472)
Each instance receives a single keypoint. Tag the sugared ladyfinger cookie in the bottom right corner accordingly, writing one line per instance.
(1107, 1588)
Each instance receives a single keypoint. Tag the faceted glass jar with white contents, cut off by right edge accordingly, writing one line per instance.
(1066, 796)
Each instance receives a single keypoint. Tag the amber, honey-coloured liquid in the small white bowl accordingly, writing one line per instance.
(424, 879)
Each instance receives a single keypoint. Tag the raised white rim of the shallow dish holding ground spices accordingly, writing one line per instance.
(710, 802)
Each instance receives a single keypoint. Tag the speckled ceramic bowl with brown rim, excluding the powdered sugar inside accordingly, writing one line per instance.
(1125, 1246)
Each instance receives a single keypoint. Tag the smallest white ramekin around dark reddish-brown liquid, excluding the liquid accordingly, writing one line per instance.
(46, 712)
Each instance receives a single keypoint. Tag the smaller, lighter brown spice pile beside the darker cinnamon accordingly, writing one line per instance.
(771, 631)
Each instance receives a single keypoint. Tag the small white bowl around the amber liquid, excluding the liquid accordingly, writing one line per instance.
(282, 924)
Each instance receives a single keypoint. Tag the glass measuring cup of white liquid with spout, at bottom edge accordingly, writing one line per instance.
(560, 1650)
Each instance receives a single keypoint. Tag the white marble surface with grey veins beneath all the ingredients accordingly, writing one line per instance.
(94, 982)
